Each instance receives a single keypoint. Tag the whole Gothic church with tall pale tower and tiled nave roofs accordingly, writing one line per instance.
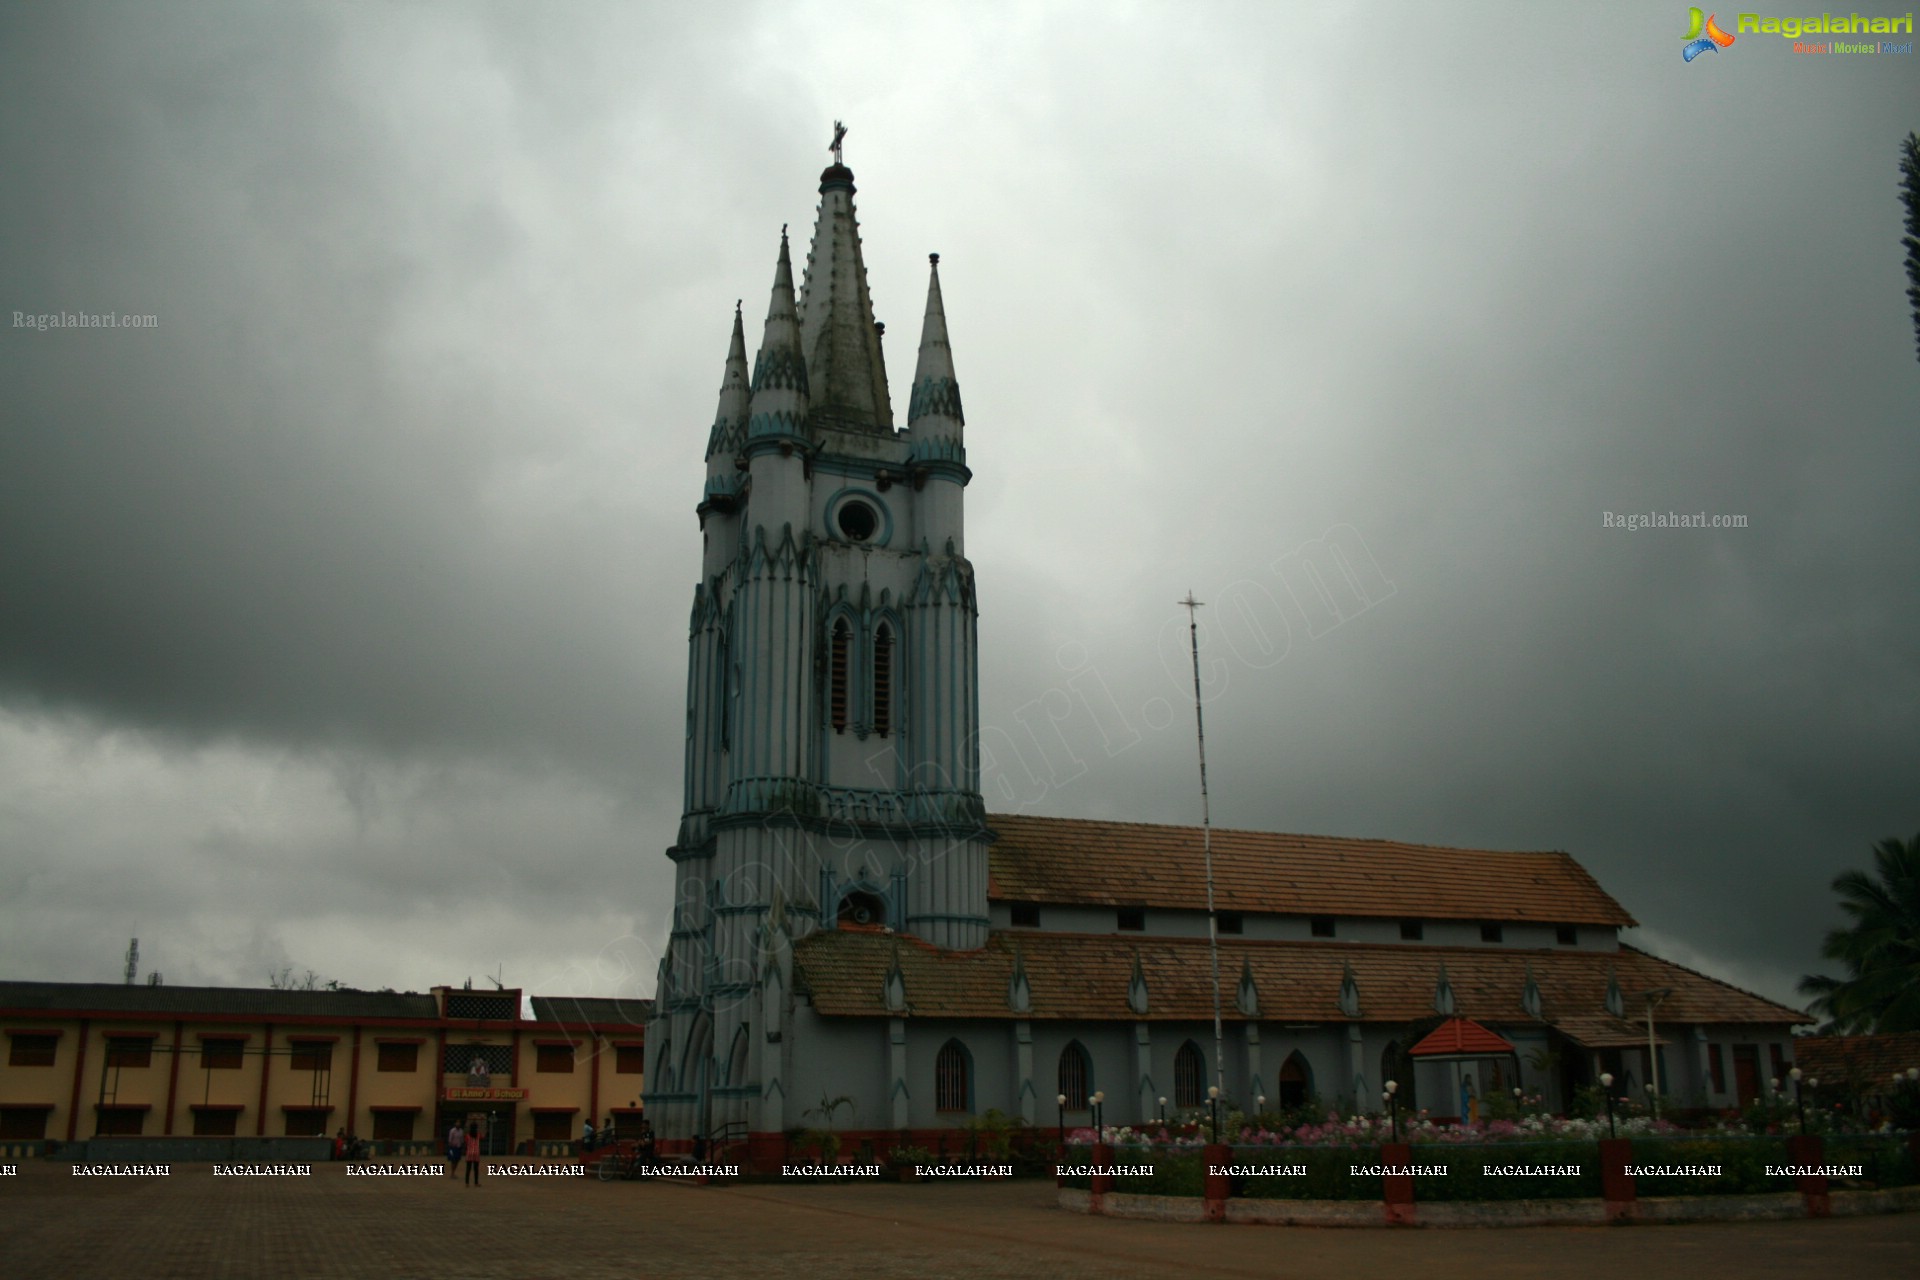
(852, 922)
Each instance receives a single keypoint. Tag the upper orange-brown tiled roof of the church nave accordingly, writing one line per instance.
(1076, 861)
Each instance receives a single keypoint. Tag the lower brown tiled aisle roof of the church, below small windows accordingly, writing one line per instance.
(1088, 976)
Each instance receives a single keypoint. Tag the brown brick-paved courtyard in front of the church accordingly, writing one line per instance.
(435, 1229)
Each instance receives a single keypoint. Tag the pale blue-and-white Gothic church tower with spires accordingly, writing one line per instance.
(832, 770)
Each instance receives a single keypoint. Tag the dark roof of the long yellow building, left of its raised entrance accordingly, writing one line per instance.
(189, 1001)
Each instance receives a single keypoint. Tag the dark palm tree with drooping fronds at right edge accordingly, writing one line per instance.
(1881, 949)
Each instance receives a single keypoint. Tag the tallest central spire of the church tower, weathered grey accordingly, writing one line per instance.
(844, 360)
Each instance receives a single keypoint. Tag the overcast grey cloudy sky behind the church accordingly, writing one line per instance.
(343, 615)
